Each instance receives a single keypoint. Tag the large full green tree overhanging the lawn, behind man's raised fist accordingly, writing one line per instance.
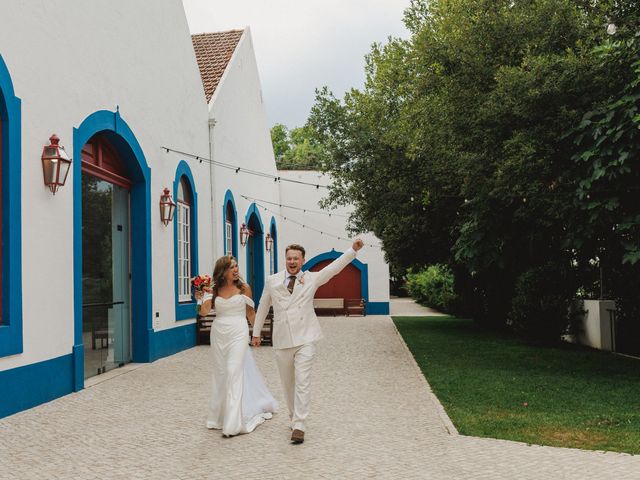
(456, 152)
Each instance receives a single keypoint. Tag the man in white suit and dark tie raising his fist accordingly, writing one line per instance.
(295, 326)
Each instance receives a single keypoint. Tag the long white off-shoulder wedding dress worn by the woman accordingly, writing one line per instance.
(240, 399)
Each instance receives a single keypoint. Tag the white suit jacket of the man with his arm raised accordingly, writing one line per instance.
(294, 319)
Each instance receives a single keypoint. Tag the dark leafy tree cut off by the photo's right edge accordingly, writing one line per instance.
(607, 155)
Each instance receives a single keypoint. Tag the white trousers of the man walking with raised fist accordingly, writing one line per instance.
(294, 365)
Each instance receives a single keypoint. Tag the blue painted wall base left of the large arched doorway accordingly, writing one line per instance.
(28, 386)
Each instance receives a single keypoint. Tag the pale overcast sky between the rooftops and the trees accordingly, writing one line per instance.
(302, 45)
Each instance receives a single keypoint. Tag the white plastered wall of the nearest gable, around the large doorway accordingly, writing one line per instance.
(68, 59)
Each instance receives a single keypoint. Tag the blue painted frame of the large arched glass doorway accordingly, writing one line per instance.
(112, 130)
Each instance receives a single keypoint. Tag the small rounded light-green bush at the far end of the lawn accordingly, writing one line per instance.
(433, 287)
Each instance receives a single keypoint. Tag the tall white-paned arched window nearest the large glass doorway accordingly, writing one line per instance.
(184, 241)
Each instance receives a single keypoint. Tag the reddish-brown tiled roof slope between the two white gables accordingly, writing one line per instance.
(213, 52)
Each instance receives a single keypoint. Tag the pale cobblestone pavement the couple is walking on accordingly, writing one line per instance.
(372, 416)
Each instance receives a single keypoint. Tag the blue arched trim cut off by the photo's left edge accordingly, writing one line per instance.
(11, 342)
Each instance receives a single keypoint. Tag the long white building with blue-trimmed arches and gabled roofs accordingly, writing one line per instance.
(91, 277)
